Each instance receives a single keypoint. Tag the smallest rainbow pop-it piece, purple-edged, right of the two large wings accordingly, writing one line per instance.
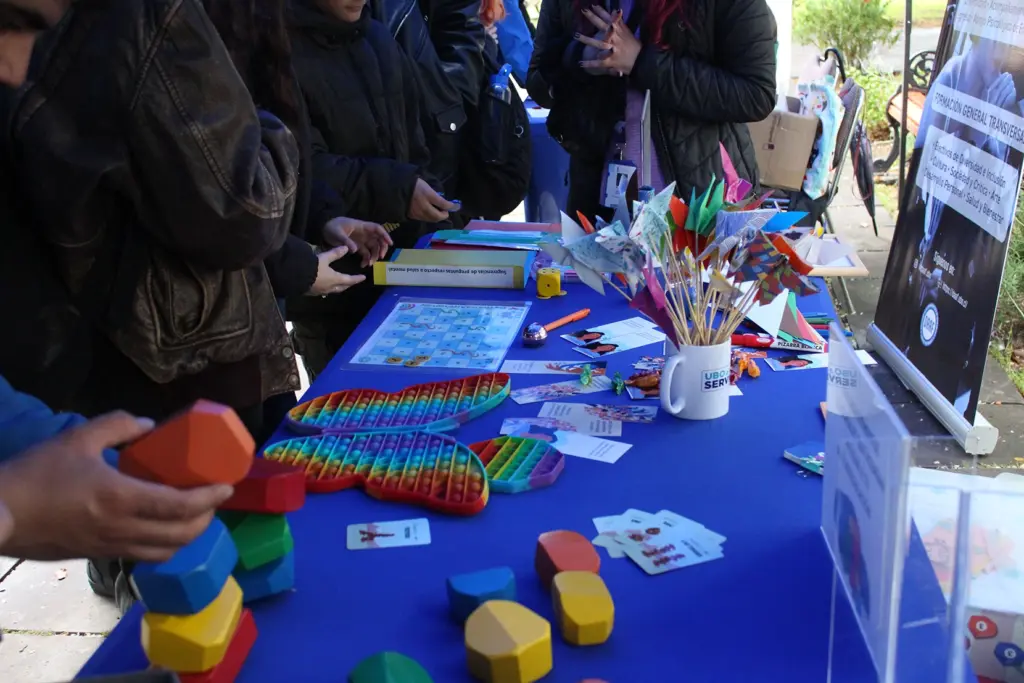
(515, 464)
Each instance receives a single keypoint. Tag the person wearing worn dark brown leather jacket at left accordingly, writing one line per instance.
(151, 190)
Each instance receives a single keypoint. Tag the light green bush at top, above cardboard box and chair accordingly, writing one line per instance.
(854, 27)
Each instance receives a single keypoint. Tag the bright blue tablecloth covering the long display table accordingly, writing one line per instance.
(762, 614)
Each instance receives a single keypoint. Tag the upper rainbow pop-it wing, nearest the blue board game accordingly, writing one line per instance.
(433, 407)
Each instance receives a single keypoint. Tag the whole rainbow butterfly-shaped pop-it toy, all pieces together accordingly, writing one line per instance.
(390, 445)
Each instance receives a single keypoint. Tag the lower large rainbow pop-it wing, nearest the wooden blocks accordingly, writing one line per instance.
(424, 468)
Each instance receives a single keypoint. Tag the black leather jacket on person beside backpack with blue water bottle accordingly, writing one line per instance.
(445, 38)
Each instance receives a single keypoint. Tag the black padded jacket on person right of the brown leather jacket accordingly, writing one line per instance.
(364, 106)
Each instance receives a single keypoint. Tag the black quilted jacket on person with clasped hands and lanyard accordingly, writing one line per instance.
(718, 75)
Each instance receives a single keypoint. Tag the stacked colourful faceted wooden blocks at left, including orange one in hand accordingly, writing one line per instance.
(195, 624)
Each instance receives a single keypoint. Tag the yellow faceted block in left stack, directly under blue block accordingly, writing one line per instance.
(194, 644)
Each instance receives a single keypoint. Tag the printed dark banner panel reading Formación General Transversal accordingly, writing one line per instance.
(943, 280)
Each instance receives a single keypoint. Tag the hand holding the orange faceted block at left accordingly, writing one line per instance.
(68, 503)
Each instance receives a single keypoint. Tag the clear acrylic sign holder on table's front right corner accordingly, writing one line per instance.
(900, 610)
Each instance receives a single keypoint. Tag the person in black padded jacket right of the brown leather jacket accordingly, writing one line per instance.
(369, 151)
